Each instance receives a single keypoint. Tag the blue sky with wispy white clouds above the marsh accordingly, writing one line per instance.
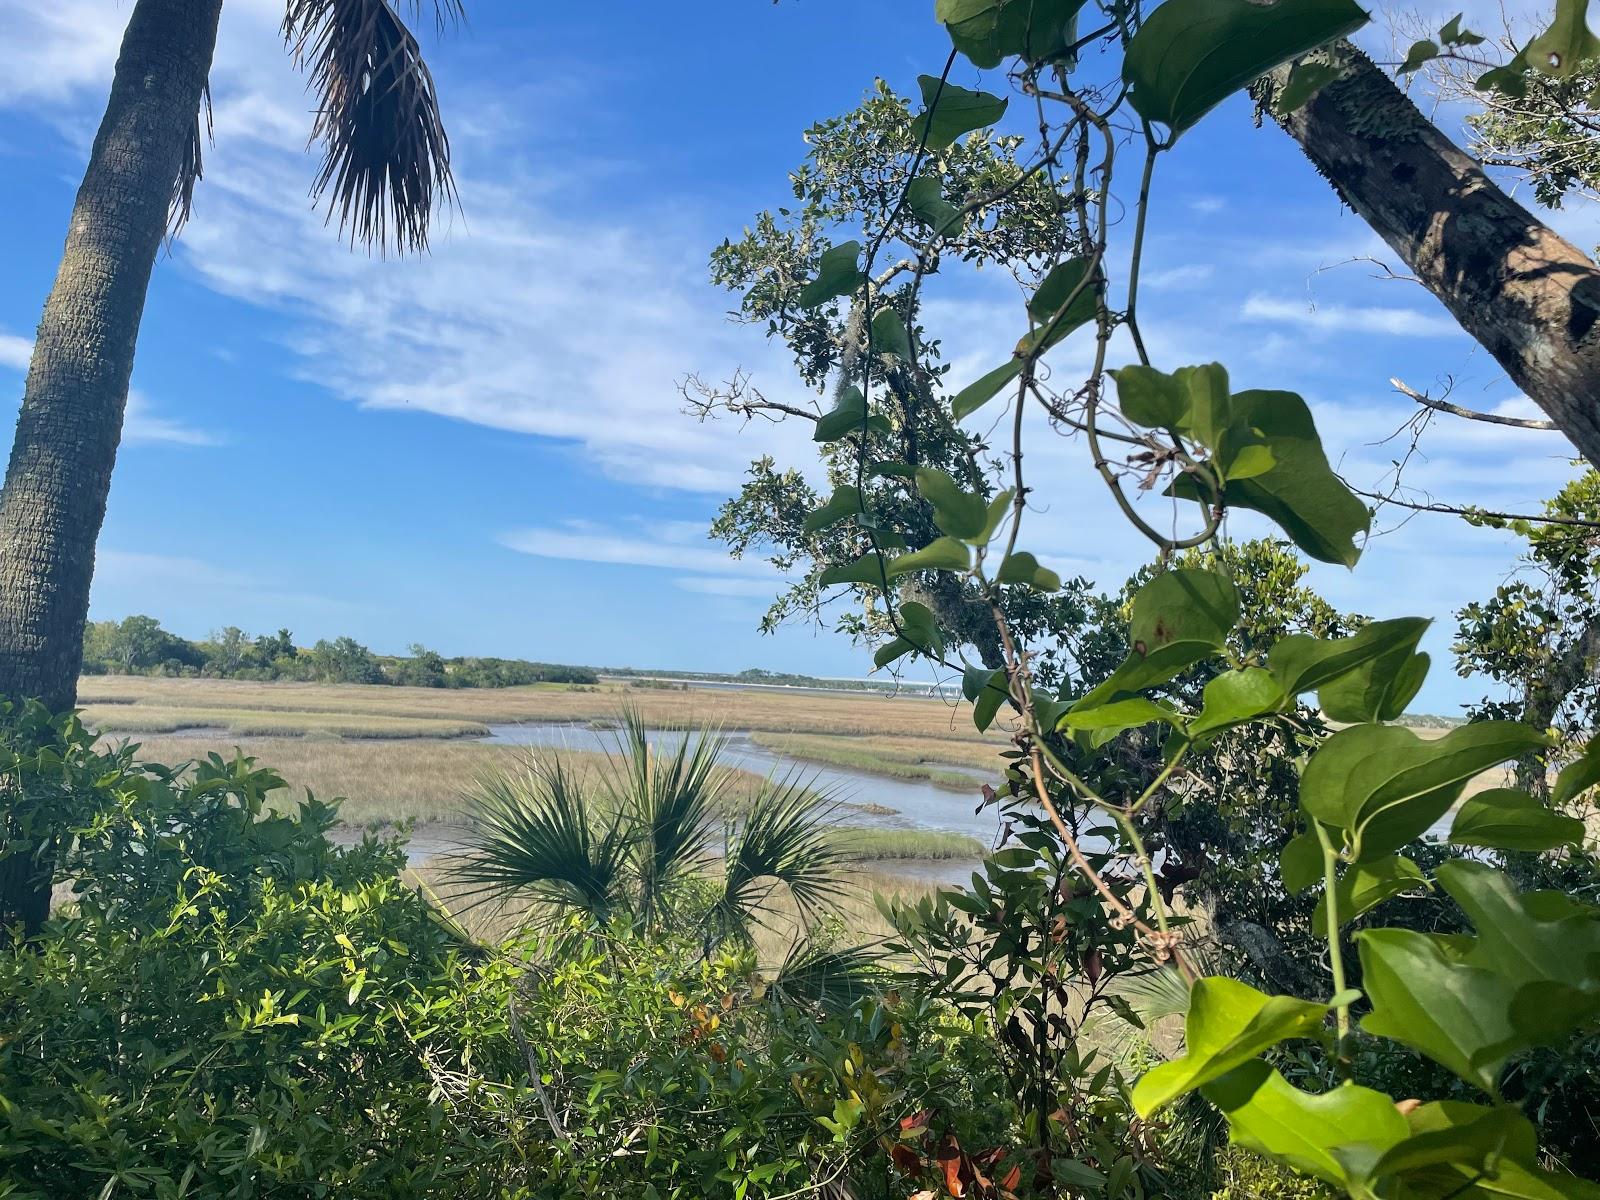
(484, 449)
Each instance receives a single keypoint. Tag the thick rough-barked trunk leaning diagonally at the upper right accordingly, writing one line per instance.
(1527, 295)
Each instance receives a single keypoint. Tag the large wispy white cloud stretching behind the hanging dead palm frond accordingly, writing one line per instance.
(535, 313)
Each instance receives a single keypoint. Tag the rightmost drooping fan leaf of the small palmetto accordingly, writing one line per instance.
(785, 842)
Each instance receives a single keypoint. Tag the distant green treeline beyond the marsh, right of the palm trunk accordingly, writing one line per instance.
(138, 646)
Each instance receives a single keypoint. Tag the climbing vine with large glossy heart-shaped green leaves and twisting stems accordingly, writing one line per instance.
(1530, 975)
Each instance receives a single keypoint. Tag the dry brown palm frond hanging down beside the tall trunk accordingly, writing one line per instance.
(386, 154)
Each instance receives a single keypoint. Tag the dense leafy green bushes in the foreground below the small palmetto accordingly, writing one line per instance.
(234, 1007)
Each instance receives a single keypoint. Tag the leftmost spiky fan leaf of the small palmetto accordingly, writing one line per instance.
(534, 836)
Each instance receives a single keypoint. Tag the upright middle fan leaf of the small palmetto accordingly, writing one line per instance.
(671, 799)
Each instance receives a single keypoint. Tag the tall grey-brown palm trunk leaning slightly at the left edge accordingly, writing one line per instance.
(78, 383)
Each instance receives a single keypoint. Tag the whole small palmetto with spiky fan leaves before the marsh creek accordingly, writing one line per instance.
(634, 846)
